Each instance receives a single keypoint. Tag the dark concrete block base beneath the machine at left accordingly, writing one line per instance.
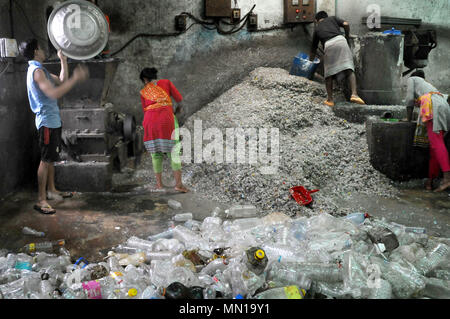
(83, 177)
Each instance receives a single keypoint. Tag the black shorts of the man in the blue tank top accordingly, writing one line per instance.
(50, 144)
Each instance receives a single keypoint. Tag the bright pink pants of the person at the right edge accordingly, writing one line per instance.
(438, 152)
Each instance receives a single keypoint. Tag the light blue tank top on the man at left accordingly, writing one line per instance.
(45, 108)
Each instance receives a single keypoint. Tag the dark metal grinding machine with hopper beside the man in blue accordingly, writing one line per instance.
(98, 139)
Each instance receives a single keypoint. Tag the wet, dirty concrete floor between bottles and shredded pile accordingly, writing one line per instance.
(93, 223)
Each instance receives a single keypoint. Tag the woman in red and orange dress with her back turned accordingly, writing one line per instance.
(161, 135)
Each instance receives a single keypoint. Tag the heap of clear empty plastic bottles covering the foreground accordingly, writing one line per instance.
(234, 254)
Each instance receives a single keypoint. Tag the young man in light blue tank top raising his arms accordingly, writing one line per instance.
(44, 90)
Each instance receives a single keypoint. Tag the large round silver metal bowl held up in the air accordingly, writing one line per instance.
(79, 29)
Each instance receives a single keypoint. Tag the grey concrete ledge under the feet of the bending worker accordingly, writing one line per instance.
(356, 113)
